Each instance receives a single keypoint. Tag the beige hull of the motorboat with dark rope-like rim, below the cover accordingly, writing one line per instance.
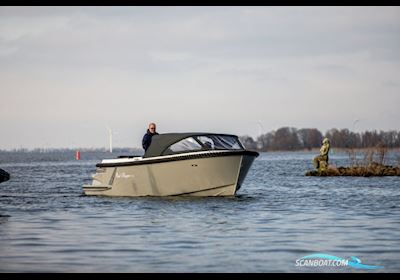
(201, 174)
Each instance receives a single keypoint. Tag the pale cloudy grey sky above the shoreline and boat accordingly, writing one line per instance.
(68, 73)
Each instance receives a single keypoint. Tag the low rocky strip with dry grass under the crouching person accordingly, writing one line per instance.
(373, 169)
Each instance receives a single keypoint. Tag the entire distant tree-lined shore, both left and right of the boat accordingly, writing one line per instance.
(282, 139)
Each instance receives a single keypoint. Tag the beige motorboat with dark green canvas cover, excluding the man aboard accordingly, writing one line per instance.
(192, 164)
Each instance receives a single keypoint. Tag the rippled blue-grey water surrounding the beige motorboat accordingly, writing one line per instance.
(279, 215)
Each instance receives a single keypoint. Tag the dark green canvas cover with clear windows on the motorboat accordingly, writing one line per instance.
(176, 143)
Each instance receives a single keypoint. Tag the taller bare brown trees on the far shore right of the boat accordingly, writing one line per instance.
(292, 139)
